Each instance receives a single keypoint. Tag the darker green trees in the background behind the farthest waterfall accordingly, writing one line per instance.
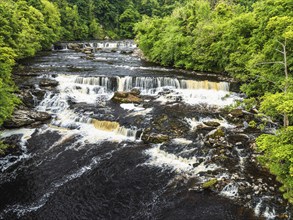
(91, 19)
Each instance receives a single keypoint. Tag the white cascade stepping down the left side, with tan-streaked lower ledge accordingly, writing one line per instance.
(58, 105)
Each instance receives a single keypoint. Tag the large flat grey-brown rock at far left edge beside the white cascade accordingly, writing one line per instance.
(22, 118)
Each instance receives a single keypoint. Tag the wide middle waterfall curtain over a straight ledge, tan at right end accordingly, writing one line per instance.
(190, 91)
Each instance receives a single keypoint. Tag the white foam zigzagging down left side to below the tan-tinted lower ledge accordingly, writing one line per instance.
(81, 124)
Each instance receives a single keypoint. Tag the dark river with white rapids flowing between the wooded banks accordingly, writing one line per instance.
(89, 162)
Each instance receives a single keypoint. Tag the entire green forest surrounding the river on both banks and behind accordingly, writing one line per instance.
(251, 41)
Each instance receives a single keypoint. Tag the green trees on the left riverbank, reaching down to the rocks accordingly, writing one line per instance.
(24, 31)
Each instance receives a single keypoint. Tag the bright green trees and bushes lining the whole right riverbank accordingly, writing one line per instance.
(250, 40)
